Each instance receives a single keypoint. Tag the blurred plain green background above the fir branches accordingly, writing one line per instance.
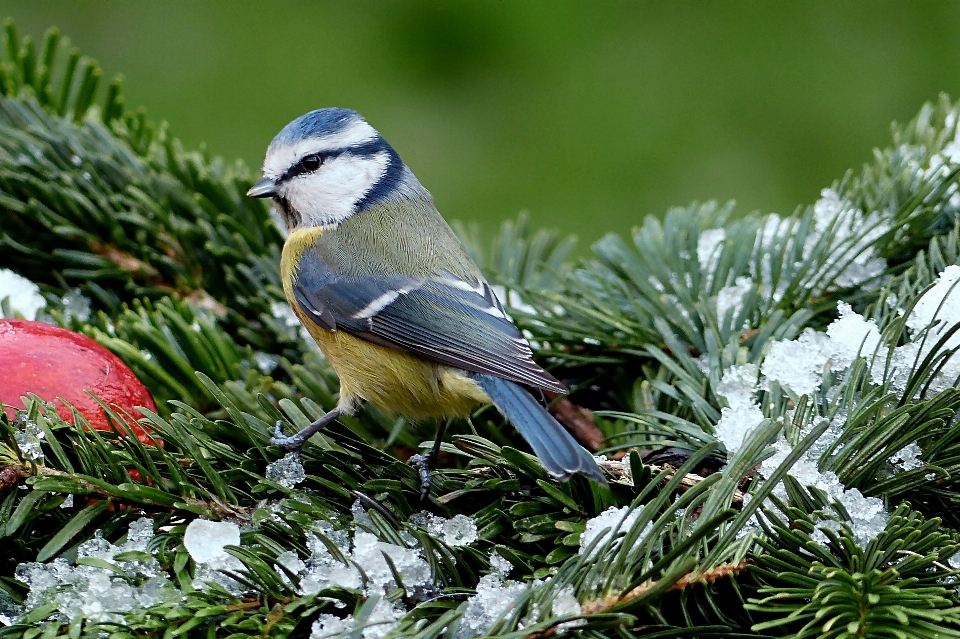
(589, 115)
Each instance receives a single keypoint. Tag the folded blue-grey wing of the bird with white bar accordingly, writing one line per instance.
(442, 318)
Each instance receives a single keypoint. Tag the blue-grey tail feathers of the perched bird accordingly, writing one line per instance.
(557, 450)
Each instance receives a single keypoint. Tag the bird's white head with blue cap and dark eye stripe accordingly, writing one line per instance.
(327, 165)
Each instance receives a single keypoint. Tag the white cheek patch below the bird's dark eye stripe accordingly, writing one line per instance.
(328, 195)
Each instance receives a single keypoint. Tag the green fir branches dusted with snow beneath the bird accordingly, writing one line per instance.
(814, 525)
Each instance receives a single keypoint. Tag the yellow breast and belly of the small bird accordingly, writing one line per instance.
(393, 380)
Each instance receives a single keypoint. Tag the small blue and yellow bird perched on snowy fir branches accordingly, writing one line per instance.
(391, 296)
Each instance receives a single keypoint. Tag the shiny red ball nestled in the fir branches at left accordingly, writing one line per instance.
(55, 363)
